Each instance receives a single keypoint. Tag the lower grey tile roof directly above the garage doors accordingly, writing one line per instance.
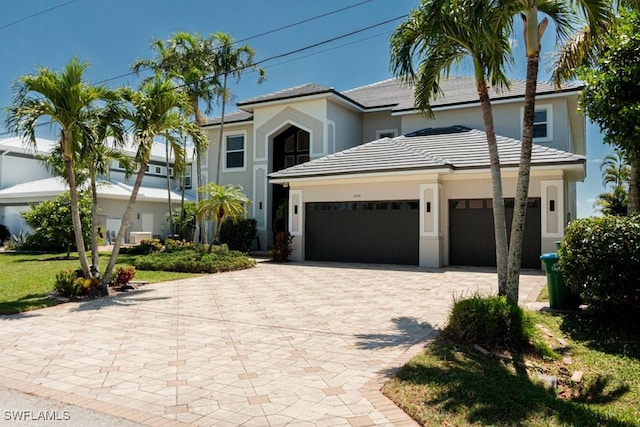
(454, 147)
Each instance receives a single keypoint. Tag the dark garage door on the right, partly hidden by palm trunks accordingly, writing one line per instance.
(472, 238)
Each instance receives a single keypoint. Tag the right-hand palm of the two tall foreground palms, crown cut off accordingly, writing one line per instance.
(565, 14)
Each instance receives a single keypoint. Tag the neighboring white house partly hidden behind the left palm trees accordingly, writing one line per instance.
(23, 181)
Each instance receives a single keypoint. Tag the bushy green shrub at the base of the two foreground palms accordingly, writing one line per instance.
(490, 322)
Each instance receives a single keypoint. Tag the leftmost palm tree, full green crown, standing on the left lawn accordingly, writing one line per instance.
(68, 101)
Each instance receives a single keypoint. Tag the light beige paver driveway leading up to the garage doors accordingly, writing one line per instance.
(280, 344)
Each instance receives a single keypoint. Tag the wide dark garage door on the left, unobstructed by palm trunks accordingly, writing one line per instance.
(384, 232)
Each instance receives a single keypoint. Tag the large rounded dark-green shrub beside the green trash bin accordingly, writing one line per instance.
(600, 261)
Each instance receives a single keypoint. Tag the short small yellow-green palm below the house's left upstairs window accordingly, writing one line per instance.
(223, 201)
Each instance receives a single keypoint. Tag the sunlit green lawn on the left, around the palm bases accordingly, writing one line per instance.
(25, 279)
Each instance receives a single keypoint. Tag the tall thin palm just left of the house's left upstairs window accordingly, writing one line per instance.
(230, 61)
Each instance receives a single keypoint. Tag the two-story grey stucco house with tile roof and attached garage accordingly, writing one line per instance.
(362, 176)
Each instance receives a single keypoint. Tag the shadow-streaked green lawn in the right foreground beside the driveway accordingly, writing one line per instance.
(454, 386)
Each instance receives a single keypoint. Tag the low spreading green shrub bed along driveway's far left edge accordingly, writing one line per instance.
(195, 261)
